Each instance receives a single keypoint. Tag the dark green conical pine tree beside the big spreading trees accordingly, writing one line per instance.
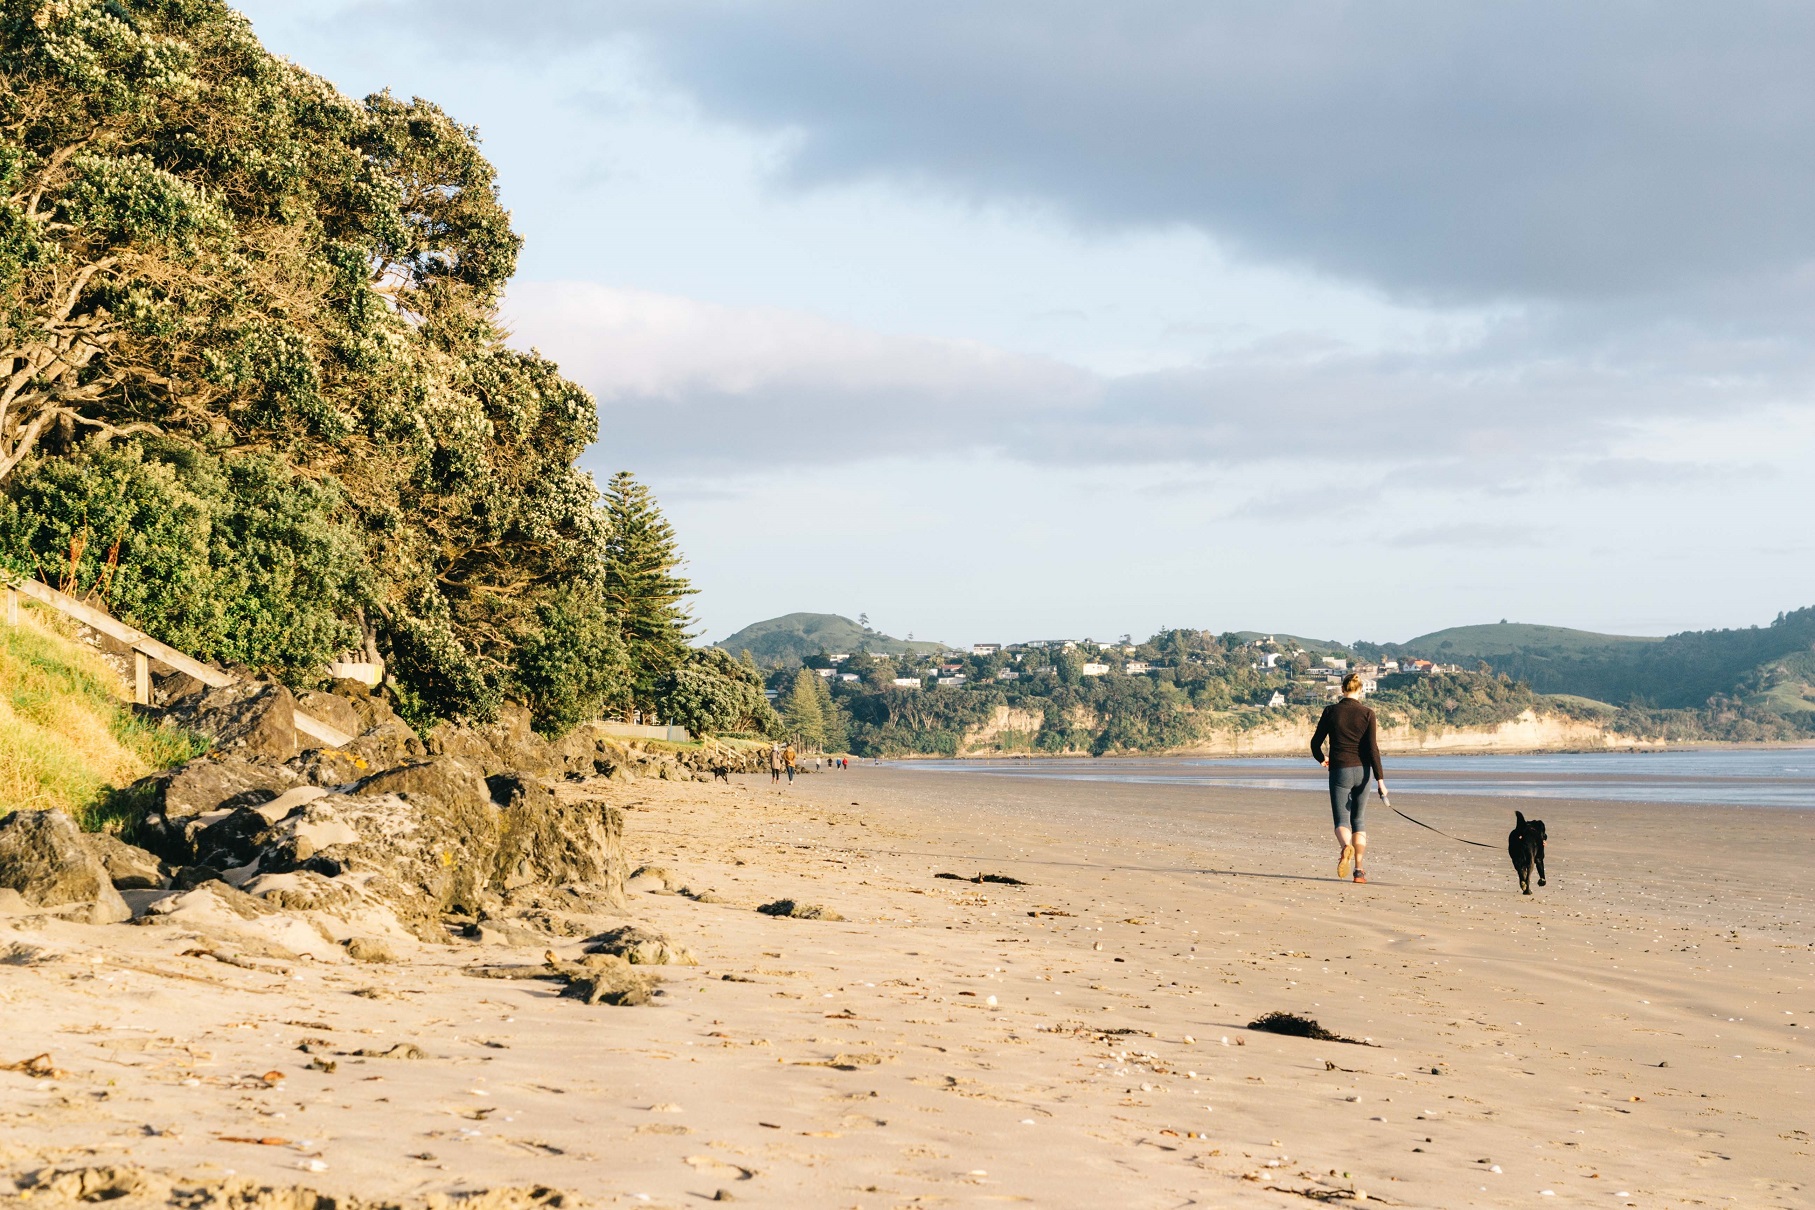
(642, 589)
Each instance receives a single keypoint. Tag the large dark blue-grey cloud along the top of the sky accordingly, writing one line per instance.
(1549, 150)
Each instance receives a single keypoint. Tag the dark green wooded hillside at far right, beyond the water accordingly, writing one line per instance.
(1763, 665)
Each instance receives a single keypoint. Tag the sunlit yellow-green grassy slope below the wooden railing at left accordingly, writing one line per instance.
(68, 734)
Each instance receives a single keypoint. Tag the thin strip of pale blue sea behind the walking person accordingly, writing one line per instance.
(1754, 777)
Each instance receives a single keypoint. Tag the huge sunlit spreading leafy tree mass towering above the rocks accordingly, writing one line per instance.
(210, 255)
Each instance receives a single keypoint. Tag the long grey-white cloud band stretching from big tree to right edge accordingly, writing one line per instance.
(683, 382)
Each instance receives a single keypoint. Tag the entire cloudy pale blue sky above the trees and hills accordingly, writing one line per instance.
(1041, 318)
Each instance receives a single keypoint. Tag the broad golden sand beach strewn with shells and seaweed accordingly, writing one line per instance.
(1638, 1033)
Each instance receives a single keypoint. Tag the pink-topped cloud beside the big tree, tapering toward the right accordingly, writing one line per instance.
(682, 380)
